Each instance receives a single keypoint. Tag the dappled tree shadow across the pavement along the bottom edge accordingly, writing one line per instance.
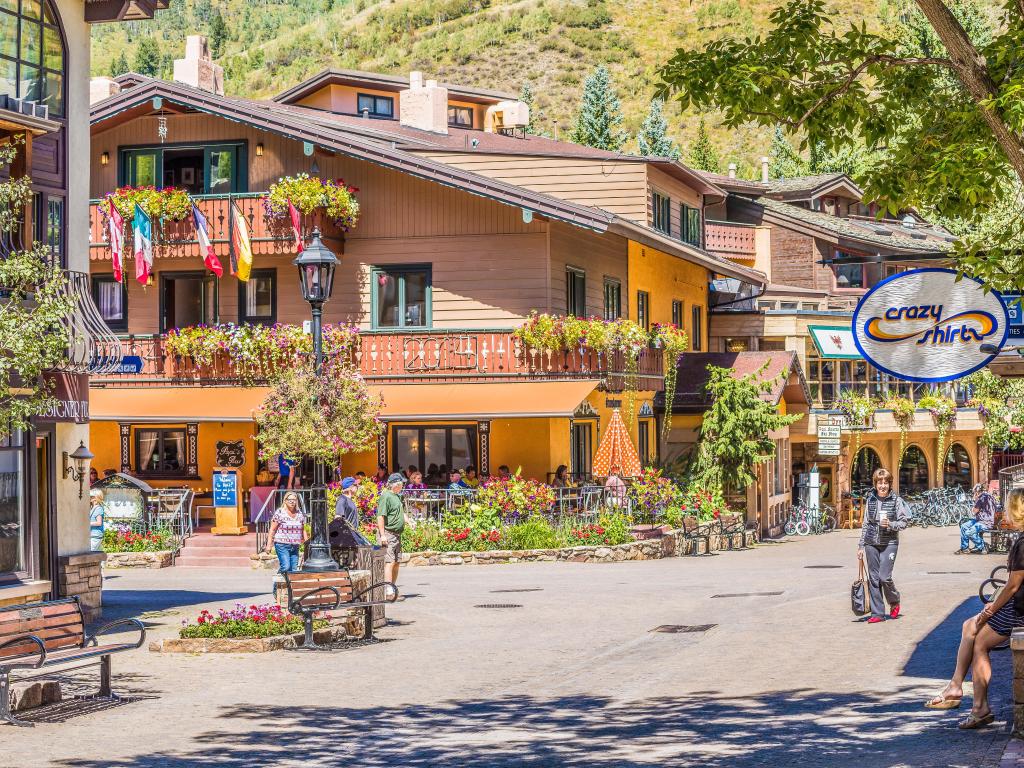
(708, 730)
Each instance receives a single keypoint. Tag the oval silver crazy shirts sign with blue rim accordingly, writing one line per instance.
(924, 325)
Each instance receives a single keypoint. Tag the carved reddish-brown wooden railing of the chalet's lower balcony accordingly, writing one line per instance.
(410, 358)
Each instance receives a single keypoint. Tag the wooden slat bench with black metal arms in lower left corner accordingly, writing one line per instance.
(48, 634)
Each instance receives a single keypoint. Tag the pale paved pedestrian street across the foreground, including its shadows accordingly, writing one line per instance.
(573, 676)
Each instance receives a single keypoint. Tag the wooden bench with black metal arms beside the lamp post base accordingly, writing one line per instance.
(329, 595)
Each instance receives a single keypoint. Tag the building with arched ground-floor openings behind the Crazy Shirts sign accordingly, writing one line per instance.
(822, 248)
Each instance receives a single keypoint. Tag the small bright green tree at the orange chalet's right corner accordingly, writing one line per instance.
(735, 436)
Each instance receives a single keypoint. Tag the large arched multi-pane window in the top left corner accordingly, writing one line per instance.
(32, 54)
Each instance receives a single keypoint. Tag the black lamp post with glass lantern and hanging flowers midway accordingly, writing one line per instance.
(317, 266)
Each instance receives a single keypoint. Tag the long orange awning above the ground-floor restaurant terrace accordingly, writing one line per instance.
(422, 402)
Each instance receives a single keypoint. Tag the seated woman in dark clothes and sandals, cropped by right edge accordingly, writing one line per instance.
(988, 630)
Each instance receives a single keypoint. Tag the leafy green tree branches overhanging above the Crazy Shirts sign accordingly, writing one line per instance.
(938, 93)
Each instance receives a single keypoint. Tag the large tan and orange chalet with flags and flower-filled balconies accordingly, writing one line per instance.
(467, 226)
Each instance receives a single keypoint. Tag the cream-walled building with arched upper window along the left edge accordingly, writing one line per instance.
(45, 107)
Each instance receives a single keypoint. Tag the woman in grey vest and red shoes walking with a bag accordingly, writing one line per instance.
(885, 516)
